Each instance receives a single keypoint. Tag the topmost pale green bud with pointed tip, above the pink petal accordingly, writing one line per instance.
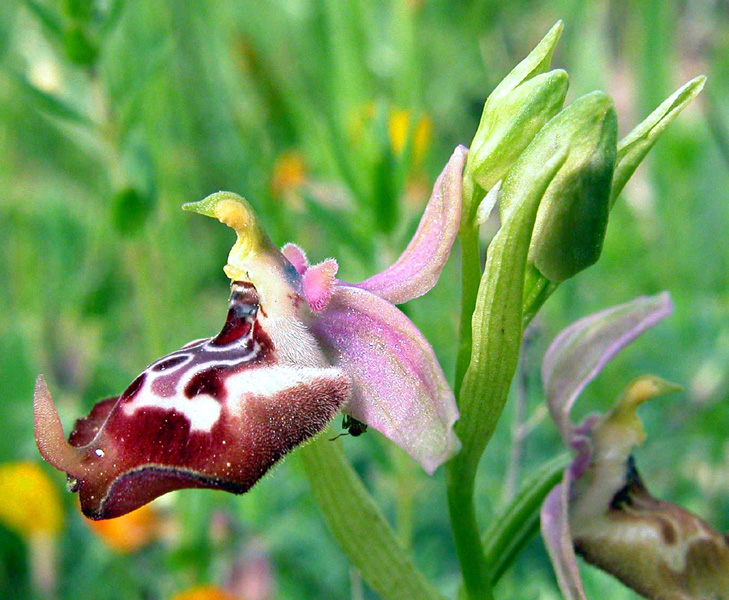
(513, 114)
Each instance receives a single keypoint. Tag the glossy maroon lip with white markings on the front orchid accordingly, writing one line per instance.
(190, 421)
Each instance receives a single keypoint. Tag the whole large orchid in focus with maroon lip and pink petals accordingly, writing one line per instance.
(297, 346)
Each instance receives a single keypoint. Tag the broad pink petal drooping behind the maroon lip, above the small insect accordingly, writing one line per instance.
(398, 386)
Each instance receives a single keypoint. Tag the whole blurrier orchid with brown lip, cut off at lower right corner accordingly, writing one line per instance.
(602, 509)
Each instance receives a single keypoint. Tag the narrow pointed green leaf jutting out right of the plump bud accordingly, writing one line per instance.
(633, 148)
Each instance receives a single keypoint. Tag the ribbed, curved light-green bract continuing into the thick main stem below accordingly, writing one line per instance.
(497, 330)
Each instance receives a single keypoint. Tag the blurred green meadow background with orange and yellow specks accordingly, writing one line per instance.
(333, 118)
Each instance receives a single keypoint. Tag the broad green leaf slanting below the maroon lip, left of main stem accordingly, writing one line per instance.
(358, 525)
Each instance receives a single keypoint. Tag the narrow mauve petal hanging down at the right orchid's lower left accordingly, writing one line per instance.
(558, 540)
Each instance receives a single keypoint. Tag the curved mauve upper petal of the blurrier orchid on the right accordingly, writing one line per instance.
(580, 352)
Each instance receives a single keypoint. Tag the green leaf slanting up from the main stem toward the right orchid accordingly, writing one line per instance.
(519, 522)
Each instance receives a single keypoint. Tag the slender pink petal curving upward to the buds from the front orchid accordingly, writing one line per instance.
(419, 266)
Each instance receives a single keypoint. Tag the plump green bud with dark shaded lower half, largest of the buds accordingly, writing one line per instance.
(572, 219)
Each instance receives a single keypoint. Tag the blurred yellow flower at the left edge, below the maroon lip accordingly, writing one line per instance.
(29, 501)
